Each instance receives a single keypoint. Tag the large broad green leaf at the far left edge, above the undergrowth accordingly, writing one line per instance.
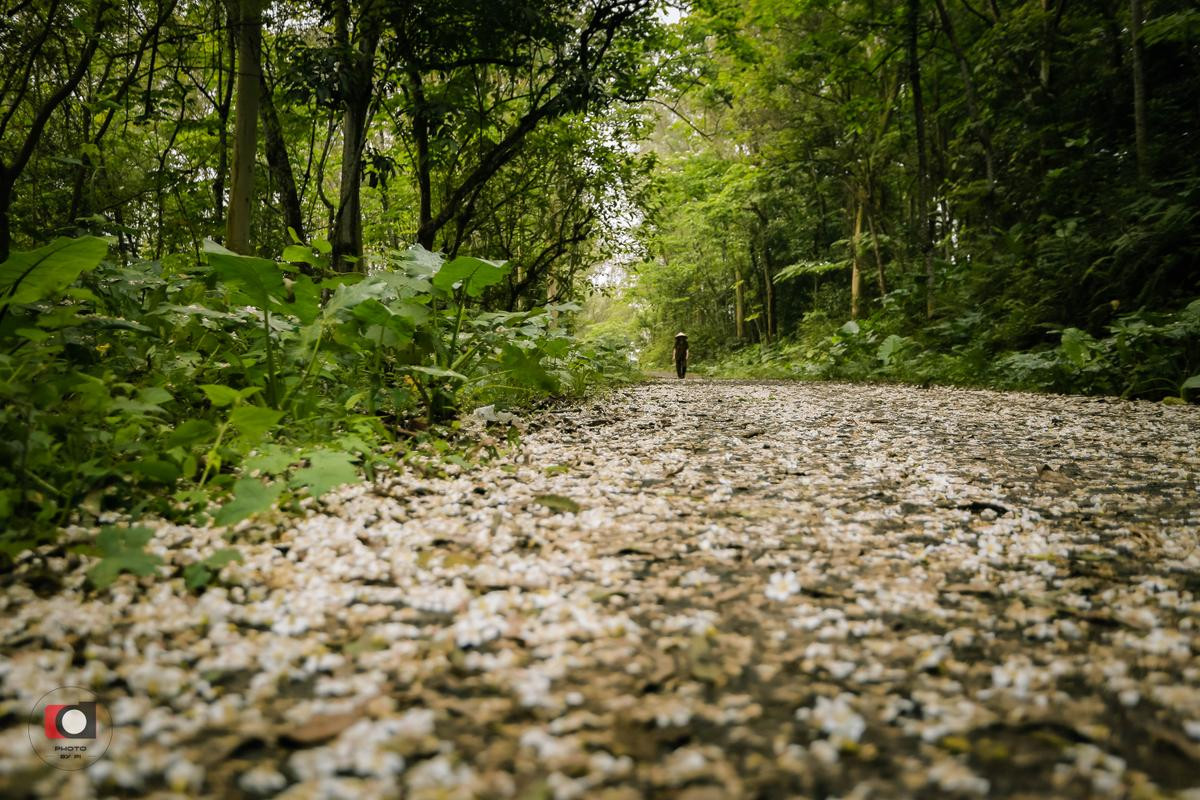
(43, 274)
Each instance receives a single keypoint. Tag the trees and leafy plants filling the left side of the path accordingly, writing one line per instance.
(245, 246)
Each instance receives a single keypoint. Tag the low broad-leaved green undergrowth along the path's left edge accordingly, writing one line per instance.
(209, 393)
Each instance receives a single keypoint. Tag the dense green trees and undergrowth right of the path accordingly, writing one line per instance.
(1030, 218)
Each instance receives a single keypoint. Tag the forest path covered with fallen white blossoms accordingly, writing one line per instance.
(695, 591)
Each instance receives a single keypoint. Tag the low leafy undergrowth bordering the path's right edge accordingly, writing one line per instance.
(1144, 356)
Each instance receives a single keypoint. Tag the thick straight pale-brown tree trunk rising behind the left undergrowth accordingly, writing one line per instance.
(249, 27)
